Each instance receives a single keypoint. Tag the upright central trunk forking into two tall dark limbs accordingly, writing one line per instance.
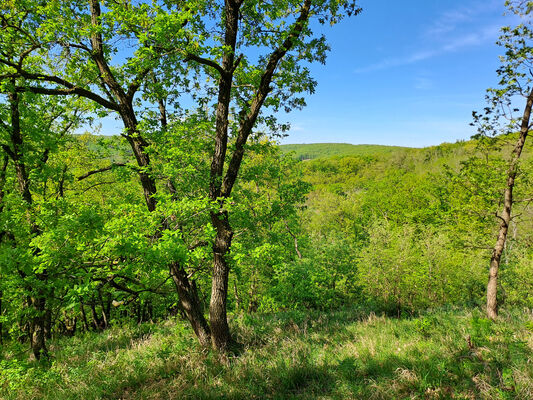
(221, 184)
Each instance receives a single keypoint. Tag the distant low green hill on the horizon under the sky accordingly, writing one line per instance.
(319, 150)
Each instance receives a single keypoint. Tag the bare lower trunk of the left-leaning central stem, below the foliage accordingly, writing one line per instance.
(190, 304)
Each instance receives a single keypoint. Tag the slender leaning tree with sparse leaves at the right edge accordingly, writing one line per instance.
(498, 118)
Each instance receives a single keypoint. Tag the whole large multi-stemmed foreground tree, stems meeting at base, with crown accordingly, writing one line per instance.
(239, 57)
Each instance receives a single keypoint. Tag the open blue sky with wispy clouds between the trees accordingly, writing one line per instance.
(404, 73)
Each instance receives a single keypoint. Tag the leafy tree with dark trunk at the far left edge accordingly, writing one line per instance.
(29, 139)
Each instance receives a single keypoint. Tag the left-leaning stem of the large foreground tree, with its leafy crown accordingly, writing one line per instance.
(67, 49)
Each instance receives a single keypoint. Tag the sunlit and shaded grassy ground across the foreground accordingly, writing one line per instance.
(341, 355)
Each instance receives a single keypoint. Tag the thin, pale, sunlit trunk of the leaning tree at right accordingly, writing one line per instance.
(505, 217)
